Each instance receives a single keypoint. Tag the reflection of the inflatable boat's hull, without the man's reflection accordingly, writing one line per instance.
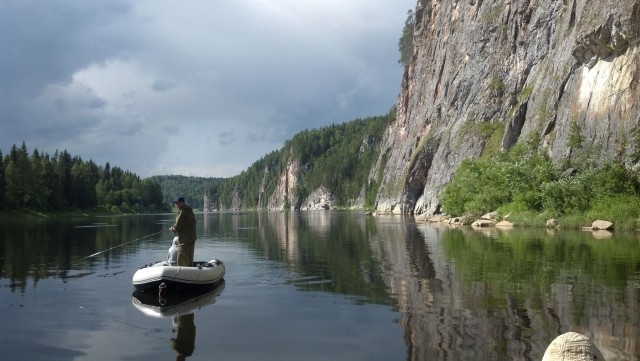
(160, 305)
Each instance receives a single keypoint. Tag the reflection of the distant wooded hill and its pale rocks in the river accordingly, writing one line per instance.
(330, 251)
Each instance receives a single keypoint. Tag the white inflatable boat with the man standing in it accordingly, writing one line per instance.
(161, 275)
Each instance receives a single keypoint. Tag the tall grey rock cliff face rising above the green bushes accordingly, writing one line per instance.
(488, 74)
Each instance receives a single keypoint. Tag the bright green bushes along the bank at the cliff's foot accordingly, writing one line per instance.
(525, 181)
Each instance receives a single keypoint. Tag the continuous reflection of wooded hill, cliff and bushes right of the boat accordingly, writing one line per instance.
(464, 295)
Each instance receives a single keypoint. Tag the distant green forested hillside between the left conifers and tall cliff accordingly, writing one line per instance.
(338, 157)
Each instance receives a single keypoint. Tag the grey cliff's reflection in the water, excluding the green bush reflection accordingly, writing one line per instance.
(454, 315)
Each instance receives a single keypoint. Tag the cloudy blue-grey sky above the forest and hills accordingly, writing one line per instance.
(195, 88)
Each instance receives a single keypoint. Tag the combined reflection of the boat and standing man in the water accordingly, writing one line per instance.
(181, 308)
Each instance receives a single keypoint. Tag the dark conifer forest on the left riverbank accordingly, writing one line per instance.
(40, 182)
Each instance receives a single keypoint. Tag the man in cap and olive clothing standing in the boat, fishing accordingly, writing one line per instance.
(185, 228)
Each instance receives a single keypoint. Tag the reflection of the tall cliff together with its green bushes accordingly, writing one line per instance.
(500, 293)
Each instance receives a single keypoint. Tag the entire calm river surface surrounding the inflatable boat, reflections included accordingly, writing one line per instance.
(322, 285)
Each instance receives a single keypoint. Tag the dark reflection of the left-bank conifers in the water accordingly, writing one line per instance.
(31, 250)
